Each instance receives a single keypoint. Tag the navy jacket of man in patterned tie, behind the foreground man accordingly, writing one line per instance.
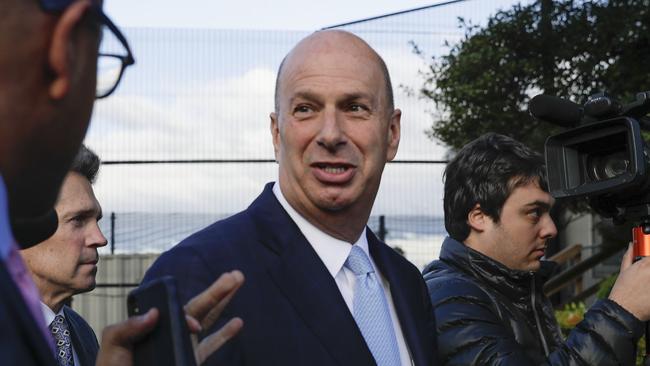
(83, 338)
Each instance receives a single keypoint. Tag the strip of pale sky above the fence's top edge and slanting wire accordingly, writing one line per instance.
(252, 14)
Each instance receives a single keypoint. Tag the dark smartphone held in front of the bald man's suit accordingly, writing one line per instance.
(169, 343)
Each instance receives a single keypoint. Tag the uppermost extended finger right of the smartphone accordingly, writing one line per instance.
(207, 300)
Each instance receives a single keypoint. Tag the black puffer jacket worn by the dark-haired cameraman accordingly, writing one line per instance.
(487, 314)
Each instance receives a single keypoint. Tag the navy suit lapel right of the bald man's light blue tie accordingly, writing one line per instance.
(404, 294)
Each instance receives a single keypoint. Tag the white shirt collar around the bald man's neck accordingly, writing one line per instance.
(333, 252)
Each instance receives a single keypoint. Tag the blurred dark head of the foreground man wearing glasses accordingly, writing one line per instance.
(48, 57)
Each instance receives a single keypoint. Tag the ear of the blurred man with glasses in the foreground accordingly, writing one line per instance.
(62, 50)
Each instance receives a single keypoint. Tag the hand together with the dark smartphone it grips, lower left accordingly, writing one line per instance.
(121, 342)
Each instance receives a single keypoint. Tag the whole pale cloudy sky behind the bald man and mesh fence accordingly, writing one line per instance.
(202, 88)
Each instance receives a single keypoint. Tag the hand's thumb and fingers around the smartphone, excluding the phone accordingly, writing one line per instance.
(201, 313)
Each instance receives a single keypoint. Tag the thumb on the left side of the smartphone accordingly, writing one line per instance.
(130, 331)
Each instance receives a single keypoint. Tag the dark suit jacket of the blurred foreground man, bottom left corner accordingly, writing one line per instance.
(21, 341)
